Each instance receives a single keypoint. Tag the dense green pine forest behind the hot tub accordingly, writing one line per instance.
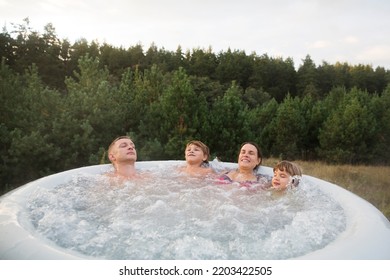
(62, 103)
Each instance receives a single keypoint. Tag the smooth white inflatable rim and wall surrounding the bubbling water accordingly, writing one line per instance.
(366, 237)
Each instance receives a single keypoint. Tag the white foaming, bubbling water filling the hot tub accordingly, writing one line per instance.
(172, 216)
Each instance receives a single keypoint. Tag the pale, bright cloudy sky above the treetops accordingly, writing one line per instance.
(352, 31)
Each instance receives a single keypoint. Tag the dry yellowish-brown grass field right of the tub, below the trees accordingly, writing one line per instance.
(369, 182)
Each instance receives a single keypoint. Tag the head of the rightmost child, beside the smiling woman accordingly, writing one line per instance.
(286, 174)
